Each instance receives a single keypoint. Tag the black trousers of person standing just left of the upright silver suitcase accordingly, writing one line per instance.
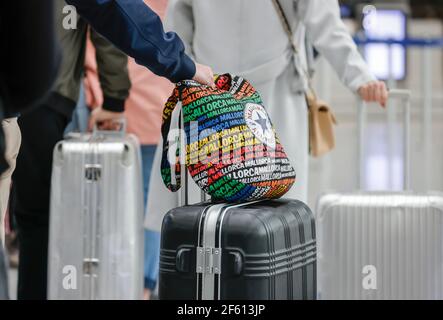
(41, 130)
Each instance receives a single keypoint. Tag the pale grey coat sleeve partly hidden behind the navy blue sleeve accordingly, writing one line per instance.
(180, 17)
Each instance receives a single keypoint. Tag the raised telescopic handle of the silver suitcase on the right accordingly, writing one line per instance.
(404, 96)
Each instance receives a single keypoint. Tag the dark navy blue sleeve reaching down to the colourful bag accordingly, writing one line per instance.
(138, 31)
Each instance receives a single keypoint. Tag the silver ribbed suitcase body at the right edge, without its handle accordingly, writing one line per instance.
(400, 234)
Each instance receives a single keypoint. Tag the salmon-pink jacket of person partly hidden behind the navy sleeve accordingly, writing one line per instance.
(147, 96)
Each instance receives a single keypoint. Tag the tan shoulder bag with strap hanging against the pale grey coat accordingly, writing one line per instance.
(321, 118)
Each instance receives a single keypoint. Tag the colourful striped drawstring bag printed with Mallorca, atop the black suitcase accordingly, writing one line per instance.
(232, 150)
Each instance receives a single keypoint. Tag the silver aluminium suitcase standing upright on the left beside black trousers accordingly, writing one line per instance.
(96, 221)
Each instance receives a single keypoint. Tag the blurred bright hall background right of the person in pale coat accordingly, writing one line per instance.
(408, 54)
